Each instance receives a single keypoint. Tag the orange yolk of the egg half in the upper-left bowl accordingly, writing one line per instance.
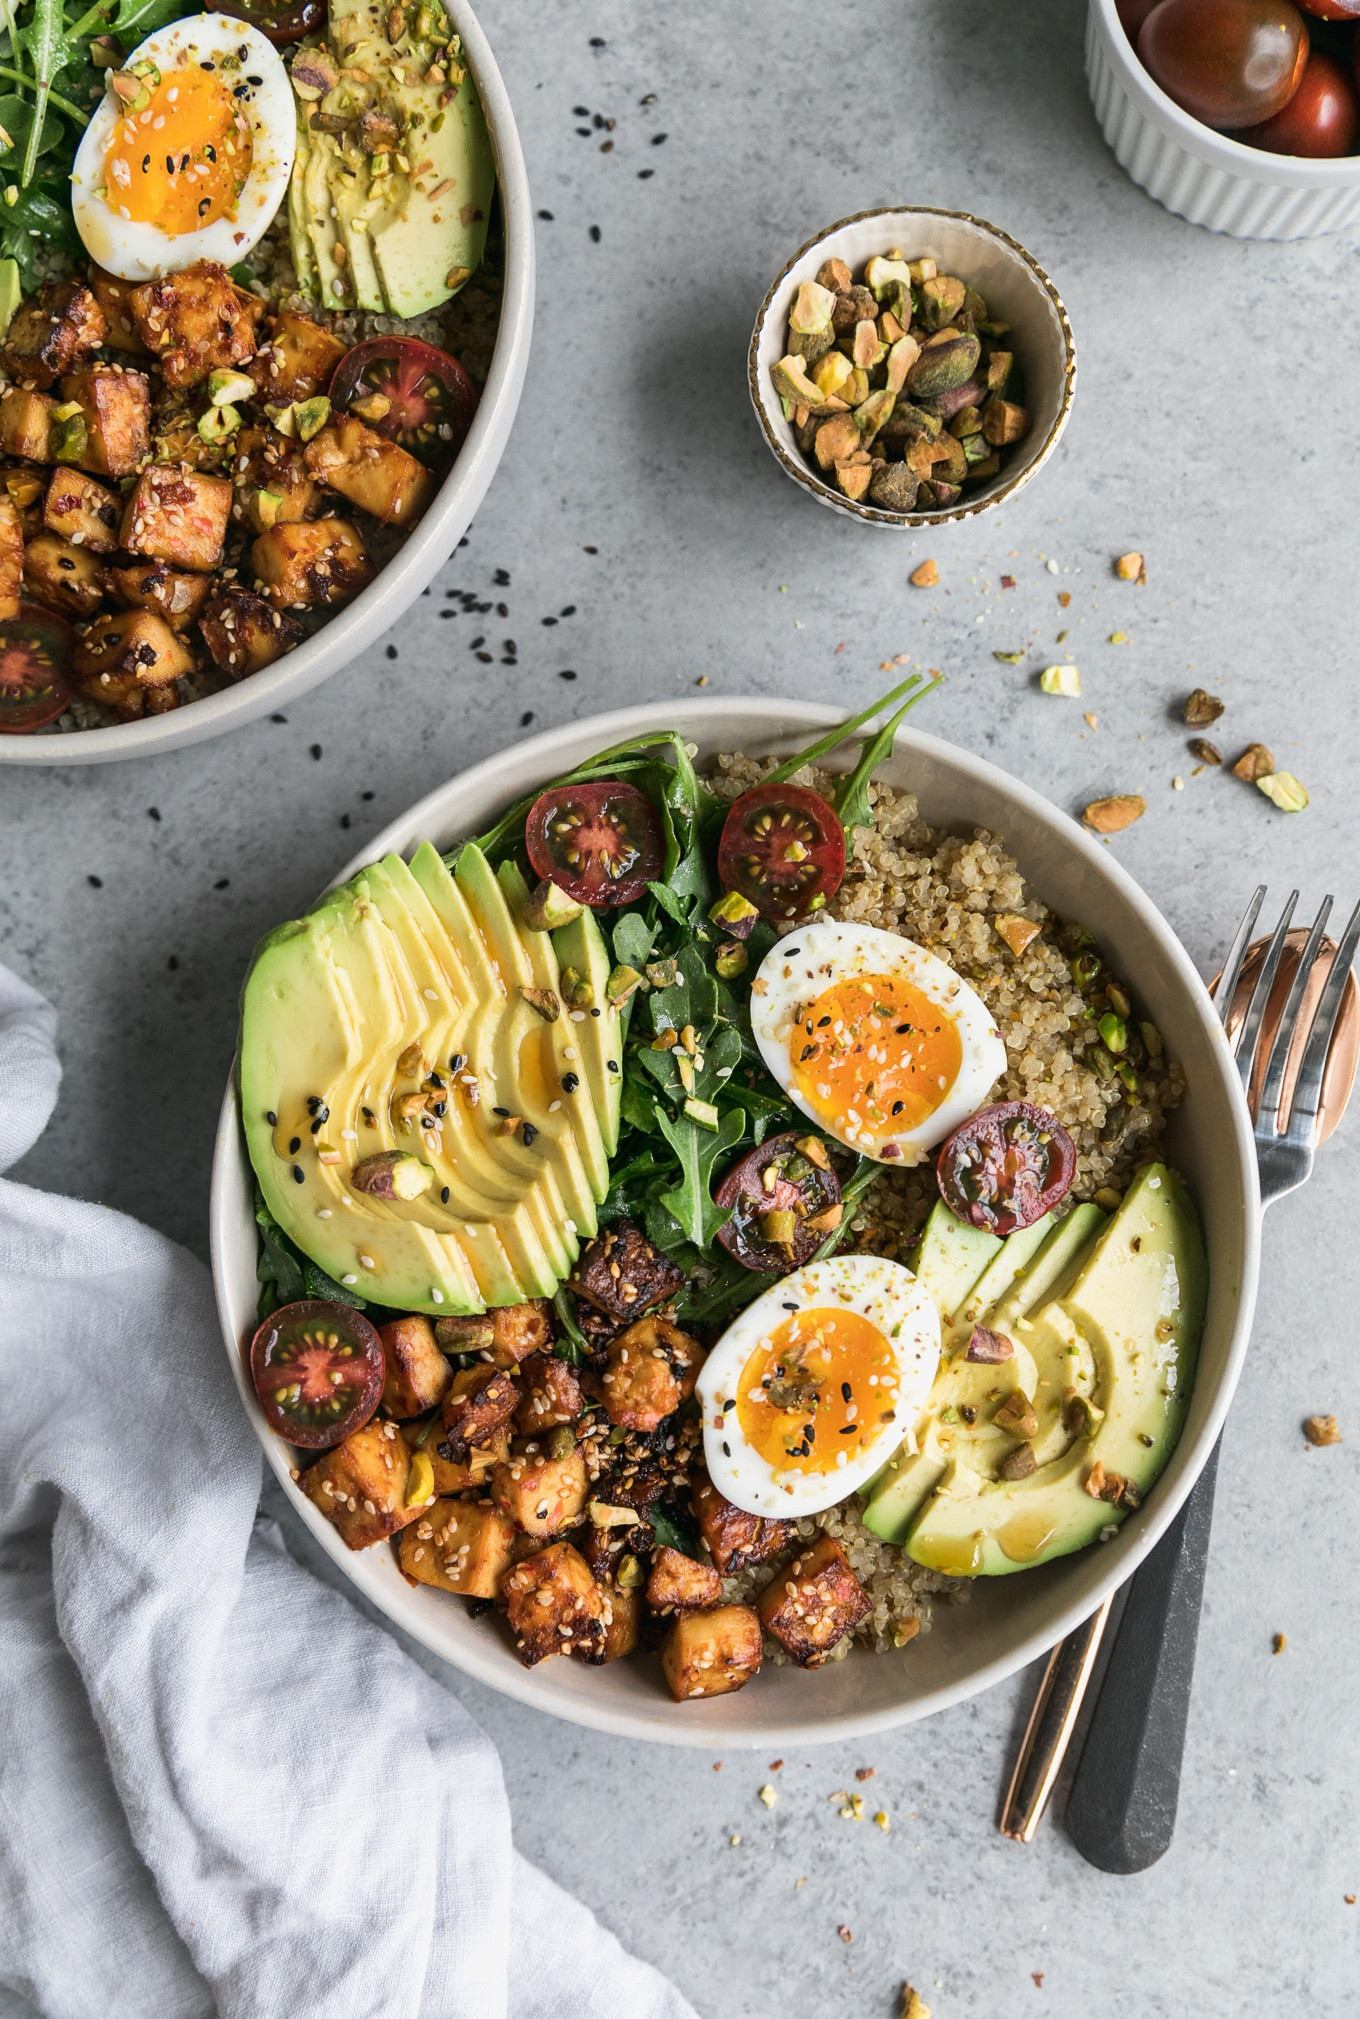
(185, 158)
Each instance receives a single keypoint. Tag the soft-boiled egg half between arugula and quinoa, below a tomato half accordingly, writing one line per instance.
(875, 1039)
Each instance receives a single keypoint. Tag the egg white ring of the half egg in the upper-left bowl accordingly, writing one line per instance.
(140, 251)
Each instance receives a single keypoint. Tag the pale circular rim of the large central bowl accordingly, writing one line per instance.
(481, 1663)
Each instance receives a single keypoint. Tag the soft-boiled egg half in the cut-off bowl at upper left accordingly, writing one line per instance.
(191, 150)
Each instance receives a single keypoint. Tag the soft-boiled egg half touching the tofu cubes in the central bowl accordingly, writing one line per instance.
(816, 1384)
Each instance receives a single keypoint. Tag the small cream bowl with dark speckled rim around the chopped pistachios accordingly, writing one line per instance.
(988, 259)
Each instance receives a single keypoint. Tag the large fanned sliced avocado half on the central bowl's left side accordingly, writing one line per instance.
(423, 1115)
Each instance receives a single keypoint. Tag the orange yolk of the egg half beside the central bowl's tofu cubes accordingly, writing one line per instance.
(818, 1390)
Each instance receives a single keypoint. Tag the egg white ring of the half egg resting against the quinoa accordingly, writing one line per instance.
(812, 960)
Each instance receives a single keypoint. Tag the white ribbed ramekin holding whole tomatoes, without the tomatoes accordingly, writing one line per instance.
(1208, 179)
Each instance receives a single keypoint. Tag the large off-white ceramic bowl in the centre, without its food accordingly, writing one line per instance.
(1010, 1620)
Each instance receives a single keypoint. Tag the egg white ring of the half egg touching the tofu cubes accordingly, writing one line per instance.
(895, 1303)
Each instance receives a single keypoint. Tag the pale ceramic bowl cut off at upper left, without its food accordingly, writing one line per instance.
(437, 536)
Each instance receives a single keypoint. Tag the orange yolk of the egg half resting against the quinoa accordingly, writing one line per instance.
(875, 1057)
